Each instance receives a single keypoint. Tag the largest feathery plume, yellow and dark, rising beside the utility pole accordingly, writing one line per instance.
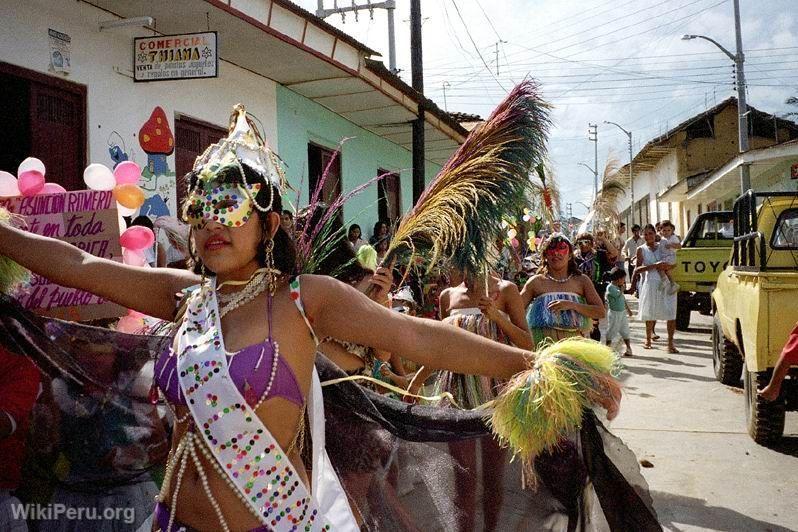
(459, 215)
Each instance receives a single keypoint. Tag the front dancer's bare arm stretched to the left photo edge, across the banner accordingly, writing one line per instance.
(147, 290)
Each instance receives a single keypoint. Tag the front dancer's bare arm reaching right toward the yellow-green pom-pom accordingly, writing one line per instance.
(426, 342)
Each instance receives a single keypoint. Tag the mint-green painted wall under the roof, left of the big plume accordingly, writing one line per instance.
(300, 121)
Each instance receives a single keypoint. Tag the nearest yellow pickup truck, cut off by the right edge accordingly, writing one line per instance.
(756, 306)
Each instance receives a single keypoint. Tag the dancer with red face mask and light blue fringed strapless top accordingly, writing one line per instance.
(563, 300)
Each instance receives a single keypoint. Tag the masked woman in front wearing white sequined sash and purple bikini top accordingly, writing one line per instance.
(239, 398)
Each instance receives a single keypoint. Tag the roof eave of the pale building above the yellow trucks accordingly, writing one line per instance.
(762, 163)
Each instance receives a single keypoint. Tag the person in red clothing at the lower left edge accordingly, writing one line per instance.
(19, 386)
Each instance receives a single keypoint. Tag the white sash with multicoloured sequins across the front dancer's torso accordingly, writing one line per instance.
(242, 445)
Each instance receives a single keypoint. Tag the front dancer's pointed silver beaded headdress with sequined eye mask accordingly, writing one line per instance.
(220, 189)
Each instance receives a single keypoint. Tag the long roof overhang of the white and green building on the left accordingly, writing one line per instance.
(280, 41)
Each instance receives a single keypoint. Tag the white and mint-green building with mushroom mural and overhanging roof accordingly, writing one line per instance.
(70, 93)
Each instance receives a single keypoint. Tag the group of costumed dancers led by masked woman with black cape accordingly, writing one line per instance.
(250, 345)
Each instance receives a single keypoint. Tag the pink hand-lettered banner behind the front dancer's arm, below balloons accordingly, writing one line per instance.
(86, 219)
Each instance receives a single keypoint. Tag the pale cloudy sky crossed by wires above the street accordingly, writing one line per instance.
(595, 60)
